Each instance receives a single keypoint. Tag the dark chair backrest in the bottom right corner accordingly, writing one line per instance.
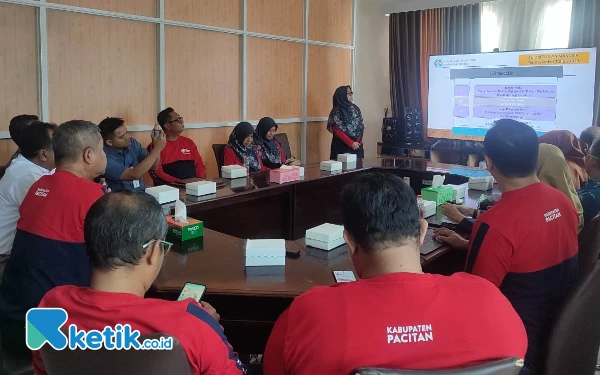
(573, 345)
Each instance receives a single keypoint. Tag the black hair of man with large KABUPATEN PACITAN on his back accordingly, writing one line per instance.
(380, 211)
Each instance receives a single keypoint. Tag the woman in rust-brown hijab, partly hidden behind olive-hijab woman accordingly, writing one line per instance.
(569, 145)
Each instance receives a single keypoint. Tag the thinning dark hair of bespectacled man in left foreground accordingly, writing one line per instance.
(117, 227)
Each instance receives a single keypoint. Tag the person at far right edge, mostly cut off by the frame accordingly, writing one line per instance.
(590, 191)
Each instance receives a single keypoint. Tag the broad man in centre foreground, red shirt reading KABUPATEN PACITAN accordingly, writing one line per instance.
(395, 316)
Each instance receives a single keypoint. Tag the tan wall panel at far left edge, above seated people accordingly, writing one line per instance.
(18, 62)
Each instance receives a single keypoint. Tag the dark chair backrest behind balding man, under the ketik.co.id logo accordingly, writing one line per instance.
(117, 362)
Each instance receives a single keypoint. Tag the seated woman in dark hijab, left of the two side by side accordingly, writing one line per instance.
(240, 150)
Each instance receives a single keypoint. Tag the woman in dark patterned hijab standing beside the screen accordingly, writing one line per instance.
(346, 124)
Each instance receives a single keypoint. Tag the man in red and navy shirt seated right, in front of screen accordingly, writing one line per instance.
(526, 244)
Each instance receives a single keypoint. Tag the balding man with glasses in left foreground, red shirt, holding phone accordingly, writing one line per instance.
(124, 265)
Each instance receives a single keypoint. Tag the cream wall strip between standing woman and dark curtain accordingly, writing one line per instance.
(372, 86)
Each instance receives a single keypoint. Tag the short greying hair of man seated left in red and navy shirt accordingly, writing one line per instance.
(71, 138)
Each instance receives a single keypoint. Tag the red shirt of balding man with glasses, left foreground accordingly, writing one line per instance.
(199, 334)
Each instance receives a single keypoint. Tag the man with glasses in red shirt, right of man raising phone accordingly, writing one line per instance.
(180, 159)
